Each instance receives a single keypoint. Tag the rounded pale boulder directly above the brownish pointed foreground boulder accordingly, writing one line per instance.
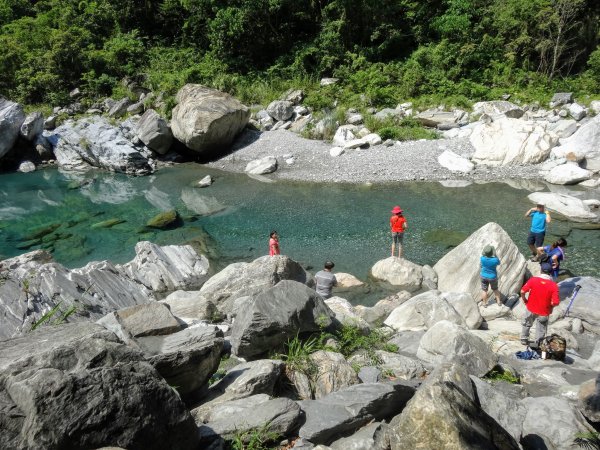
(448, 342)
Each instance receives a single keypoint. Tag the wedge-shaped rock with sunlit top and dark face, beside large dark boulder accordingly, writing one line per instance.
(186, 359)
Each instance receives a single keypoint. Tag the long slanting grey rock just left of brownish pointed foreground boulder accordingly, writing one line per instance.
(343, 412)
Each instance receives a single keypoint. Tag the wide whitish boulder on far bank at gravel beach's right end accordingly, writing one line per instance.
(509, 142)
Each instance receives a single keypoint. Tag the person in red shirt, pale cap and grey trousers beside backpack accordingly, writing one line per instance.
(543, 297)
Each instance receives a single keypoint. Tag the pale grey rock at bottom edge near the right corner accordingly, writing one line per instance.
(551, 423)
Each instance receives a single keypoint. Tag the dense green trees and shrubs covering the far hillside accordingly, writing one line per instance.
(384, 51)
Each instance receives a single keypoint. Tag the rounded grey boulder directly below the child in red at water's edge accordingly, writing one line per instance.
(248, 279)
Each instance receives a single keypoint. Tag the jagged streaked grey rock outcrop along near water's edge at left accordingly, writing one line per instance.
(95, 289)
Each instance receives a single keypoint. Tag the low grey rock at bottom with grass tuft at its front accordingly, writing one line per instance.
(281, 415)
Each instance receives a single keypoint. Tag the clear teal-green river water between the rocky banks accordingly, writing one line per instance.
(96, 216)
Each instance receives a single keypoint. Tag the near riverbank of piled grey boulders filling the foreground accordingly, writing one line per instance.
(253, 352)
